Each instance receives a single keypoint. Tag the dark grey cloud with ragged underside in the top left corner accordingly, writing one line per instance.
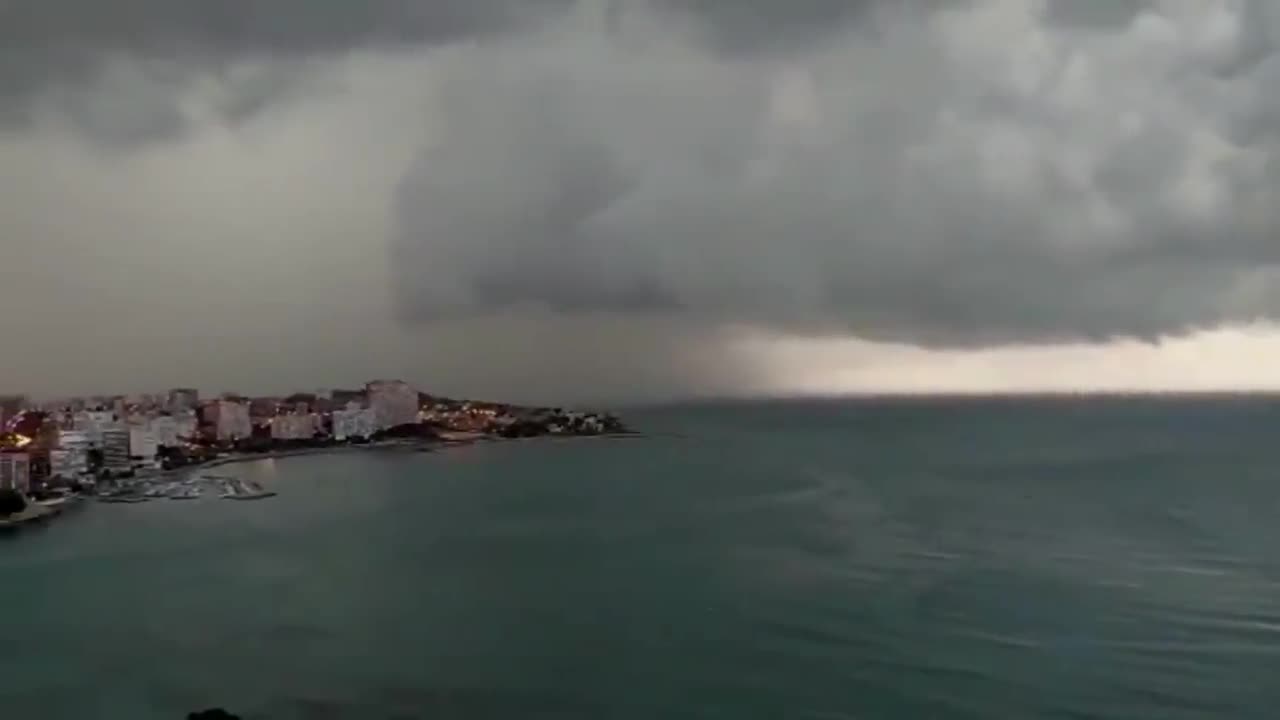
(77, 54)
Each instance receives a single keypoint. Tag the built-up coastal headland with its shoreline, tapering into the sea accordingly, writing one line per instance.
(223, 432)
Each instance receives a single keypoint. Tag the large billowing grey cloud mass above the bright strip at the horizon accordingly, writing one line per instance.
(968, 174)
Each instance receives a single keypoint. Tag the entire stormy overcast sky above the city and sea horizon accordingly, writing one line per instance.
(642, 199)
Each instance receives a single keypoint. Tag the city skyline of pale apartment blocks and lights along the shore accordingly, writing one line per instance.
(45, 449)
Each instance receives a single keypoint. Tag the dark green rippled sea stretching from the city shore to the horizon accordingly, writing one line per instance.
(856, 559)
